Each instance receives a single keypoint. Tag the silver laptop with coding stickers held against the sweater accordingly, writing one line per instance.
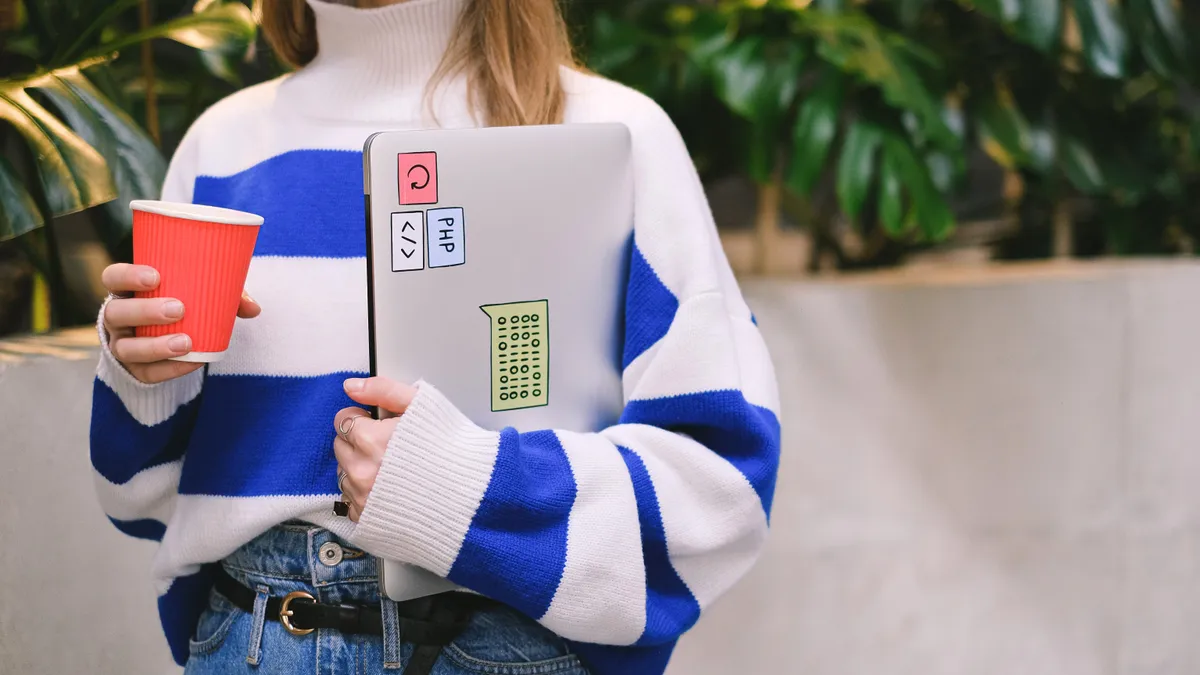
(497, 265)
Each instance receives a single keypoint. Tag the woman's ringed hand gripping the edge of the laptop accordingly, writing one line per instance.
(363, 441)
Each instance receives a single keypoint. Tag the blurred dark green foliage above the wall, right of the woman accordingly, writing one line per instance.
(883, 104)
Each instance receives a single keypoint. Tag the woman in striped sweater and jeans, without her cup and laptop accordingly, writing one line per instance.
(595, 552)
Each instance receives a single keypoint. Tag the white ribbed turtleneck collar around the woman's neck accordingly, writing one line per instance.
(373, 63)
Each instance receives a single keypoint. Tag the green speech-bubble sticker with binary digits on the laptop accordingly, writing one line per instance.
(520, 355)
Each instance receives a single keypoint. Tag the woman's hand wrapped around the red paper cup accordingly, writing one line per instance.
(146, 359)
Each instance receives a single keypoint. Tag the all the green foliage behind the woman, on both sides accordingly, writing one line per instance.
(874, 121)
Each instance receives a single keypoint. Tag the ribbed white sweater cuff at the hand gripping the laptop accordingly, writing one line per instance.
(433, 480)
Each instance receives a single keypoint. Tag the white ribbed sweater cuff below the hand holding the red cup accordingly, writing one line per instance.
(149, 404)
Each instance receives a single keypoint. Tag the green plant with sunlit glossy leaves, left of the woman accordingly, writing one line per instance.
(67, 145)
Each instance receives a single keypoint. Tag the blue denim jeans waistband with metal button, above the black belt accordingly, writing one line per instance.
(298, 555)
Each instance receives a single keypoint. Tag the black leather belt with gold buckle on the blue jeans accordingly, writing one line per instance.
(430, 624)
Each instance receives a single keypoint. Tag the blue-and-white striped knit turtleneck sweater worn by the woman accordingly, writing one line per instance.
(615, 539)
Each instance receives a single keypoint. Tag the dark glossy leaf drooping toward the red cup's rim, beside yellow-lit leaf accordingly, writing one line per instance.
(137, 166)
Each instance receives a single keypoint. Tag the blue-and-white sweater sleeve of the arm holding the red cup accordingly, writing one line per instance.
(140, 432)
